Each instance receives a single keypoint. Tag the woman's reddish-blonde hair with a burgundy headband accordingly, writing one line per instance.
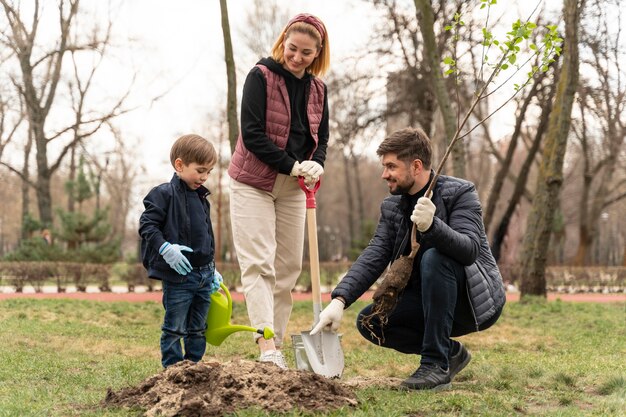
(322, 62)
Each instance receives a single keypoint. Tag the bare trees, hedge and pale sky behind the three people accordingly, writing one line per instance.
(91, 102)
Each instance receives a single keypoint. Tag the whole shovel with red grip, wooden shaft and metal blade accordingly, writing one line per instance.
(323, 349)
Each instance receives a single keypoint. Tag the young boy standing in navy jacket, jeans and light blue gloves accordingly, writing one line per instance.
(177, 247)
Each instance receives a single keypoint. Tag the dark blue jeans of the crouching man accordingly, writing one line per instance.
(429, 312)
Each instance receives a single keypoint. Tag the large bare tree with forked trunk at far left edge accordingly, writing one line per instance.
(40, 74)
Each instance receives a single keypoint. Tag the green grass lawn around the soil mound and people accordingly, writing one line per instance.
(59, 357)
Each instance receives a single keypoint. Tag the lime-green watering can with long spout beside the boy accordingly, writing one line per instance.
(218, 319)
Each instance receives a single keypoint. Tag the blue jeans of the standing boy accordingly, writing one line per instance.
(186, 306)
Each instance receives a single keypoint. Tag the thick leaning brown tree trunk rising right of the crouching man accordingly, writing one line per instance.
(550, 179)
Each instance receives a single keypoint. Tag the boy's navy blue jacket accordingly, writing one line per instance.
(168, 217)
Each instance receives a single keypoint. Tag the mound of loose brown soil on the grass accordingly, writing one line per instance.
(215, 389)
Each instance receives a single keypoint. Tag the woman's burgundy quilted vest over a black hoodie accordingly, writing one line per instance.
(247, 168)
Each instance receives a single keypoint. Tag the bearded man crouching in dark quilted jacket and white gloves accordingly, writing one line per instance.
(455, 287)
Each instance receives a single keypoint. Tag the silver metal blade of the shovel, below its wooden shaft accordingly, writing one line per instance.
(323, 350)
